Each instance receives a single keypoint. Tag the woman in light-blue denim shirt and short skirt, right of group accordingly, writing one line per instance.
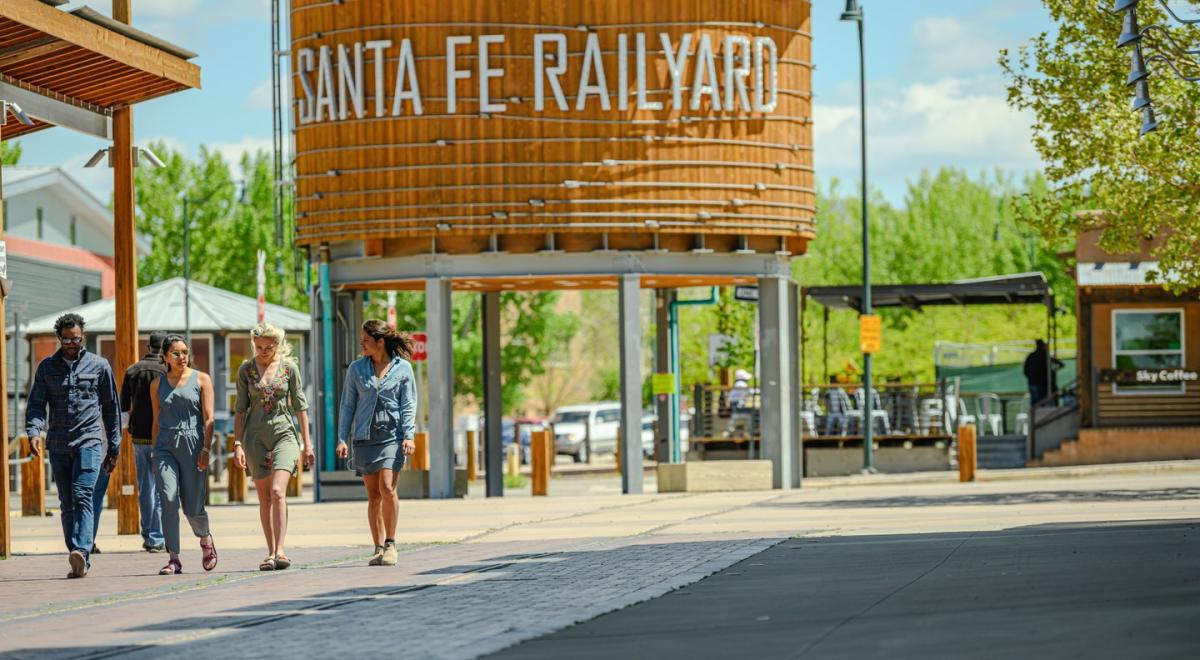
(379, 417)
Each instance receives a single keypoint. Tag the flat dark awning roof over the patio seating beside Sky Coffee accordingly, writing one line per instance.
(1027, 289)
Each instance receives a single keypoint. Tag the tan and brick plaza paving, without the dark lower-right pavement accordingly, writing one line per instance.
(478, 575)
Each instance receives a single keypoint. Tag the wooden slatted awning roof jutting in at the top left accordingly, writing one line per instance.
(75, 69)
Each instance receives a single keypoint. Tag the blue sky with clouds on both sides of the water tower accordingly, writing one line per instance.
(935, 93)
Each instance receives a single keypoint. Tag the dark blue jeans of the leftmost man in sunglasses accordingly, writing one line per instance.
(76, 473)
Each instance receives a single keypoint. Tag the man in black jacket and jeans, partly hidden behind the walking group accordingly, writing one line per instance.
(137, 409)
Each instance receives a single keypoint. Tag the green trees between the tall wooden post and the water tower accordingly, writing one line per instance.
(232, 218)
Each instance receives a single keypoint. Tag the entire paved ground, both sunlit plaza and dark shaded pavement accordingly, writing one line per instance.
(479, 577)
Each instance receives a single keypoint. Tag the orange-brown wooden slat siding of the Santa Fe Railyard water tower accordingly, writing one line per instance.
(364, 207)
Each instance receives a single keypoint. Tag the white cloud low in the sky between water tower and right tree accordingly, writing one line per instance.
(953, 122)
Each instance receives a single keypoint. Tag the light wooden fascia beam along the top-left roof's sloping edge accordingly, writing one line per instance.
(75, 31)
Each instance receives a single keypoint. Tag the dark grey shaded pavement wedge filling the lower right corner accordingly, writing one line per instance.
(1043, 591)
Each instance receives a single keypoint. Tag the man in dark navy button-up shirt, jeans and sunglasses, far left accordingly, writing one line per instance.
(82, 433)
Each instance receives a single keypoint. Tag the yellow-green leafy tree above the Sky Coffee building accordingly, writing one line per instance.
(1073, 81)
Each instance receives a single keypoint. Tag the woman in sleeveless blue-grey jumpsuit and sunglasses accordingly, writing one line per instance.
(183, 430)
